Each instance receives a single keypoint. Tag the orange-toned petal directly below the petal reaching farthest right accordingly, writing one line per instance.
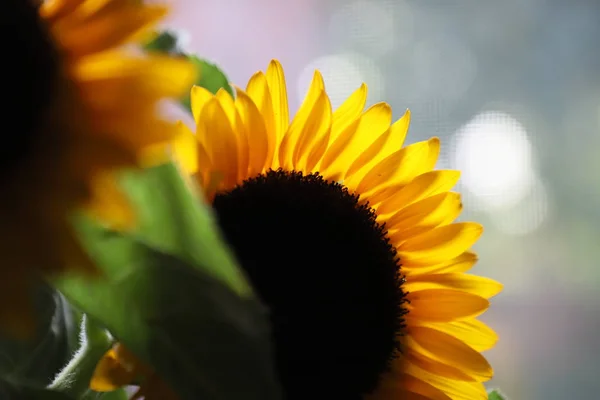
(441, 305)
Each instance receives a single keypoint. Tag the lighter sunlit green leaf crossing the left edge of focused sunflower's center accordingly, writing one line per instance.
(175, 221)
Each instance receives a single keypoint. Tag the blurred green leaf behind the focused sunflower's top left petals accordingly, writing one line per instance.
(210, 76)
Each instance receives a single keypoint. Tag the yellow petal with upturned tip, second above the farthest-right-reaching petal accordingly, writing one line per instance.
(440, 244)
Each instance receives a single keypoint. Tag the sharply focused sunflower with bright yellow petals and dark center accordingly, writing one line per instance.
(349, 238)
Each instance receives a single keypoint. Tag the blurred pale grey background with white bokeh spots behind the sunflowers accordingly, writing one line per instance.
(512, 87)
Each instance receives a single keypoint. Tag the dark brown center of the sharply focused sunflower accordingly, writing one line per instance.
(324, 266)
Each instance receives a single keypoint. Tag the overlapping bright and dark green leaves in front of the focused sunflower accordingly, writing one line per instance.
(175, 297)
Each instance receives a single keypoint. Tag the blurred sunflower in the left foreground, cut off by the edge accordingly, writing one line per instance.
(71, 81)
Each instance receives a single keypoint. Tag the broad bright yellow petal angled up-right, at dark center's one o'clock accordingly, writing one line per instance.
(352, 142)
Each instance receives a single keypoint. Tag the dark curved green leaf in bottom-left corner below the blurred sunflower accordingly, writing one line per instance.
(38, 360)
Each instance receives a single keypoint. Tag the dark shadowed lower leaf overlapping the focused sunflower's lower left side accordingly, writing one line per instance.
(189, 326)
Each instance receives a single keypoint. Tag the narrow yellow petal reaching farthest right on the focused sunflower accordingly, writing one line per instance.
(481, 286)
